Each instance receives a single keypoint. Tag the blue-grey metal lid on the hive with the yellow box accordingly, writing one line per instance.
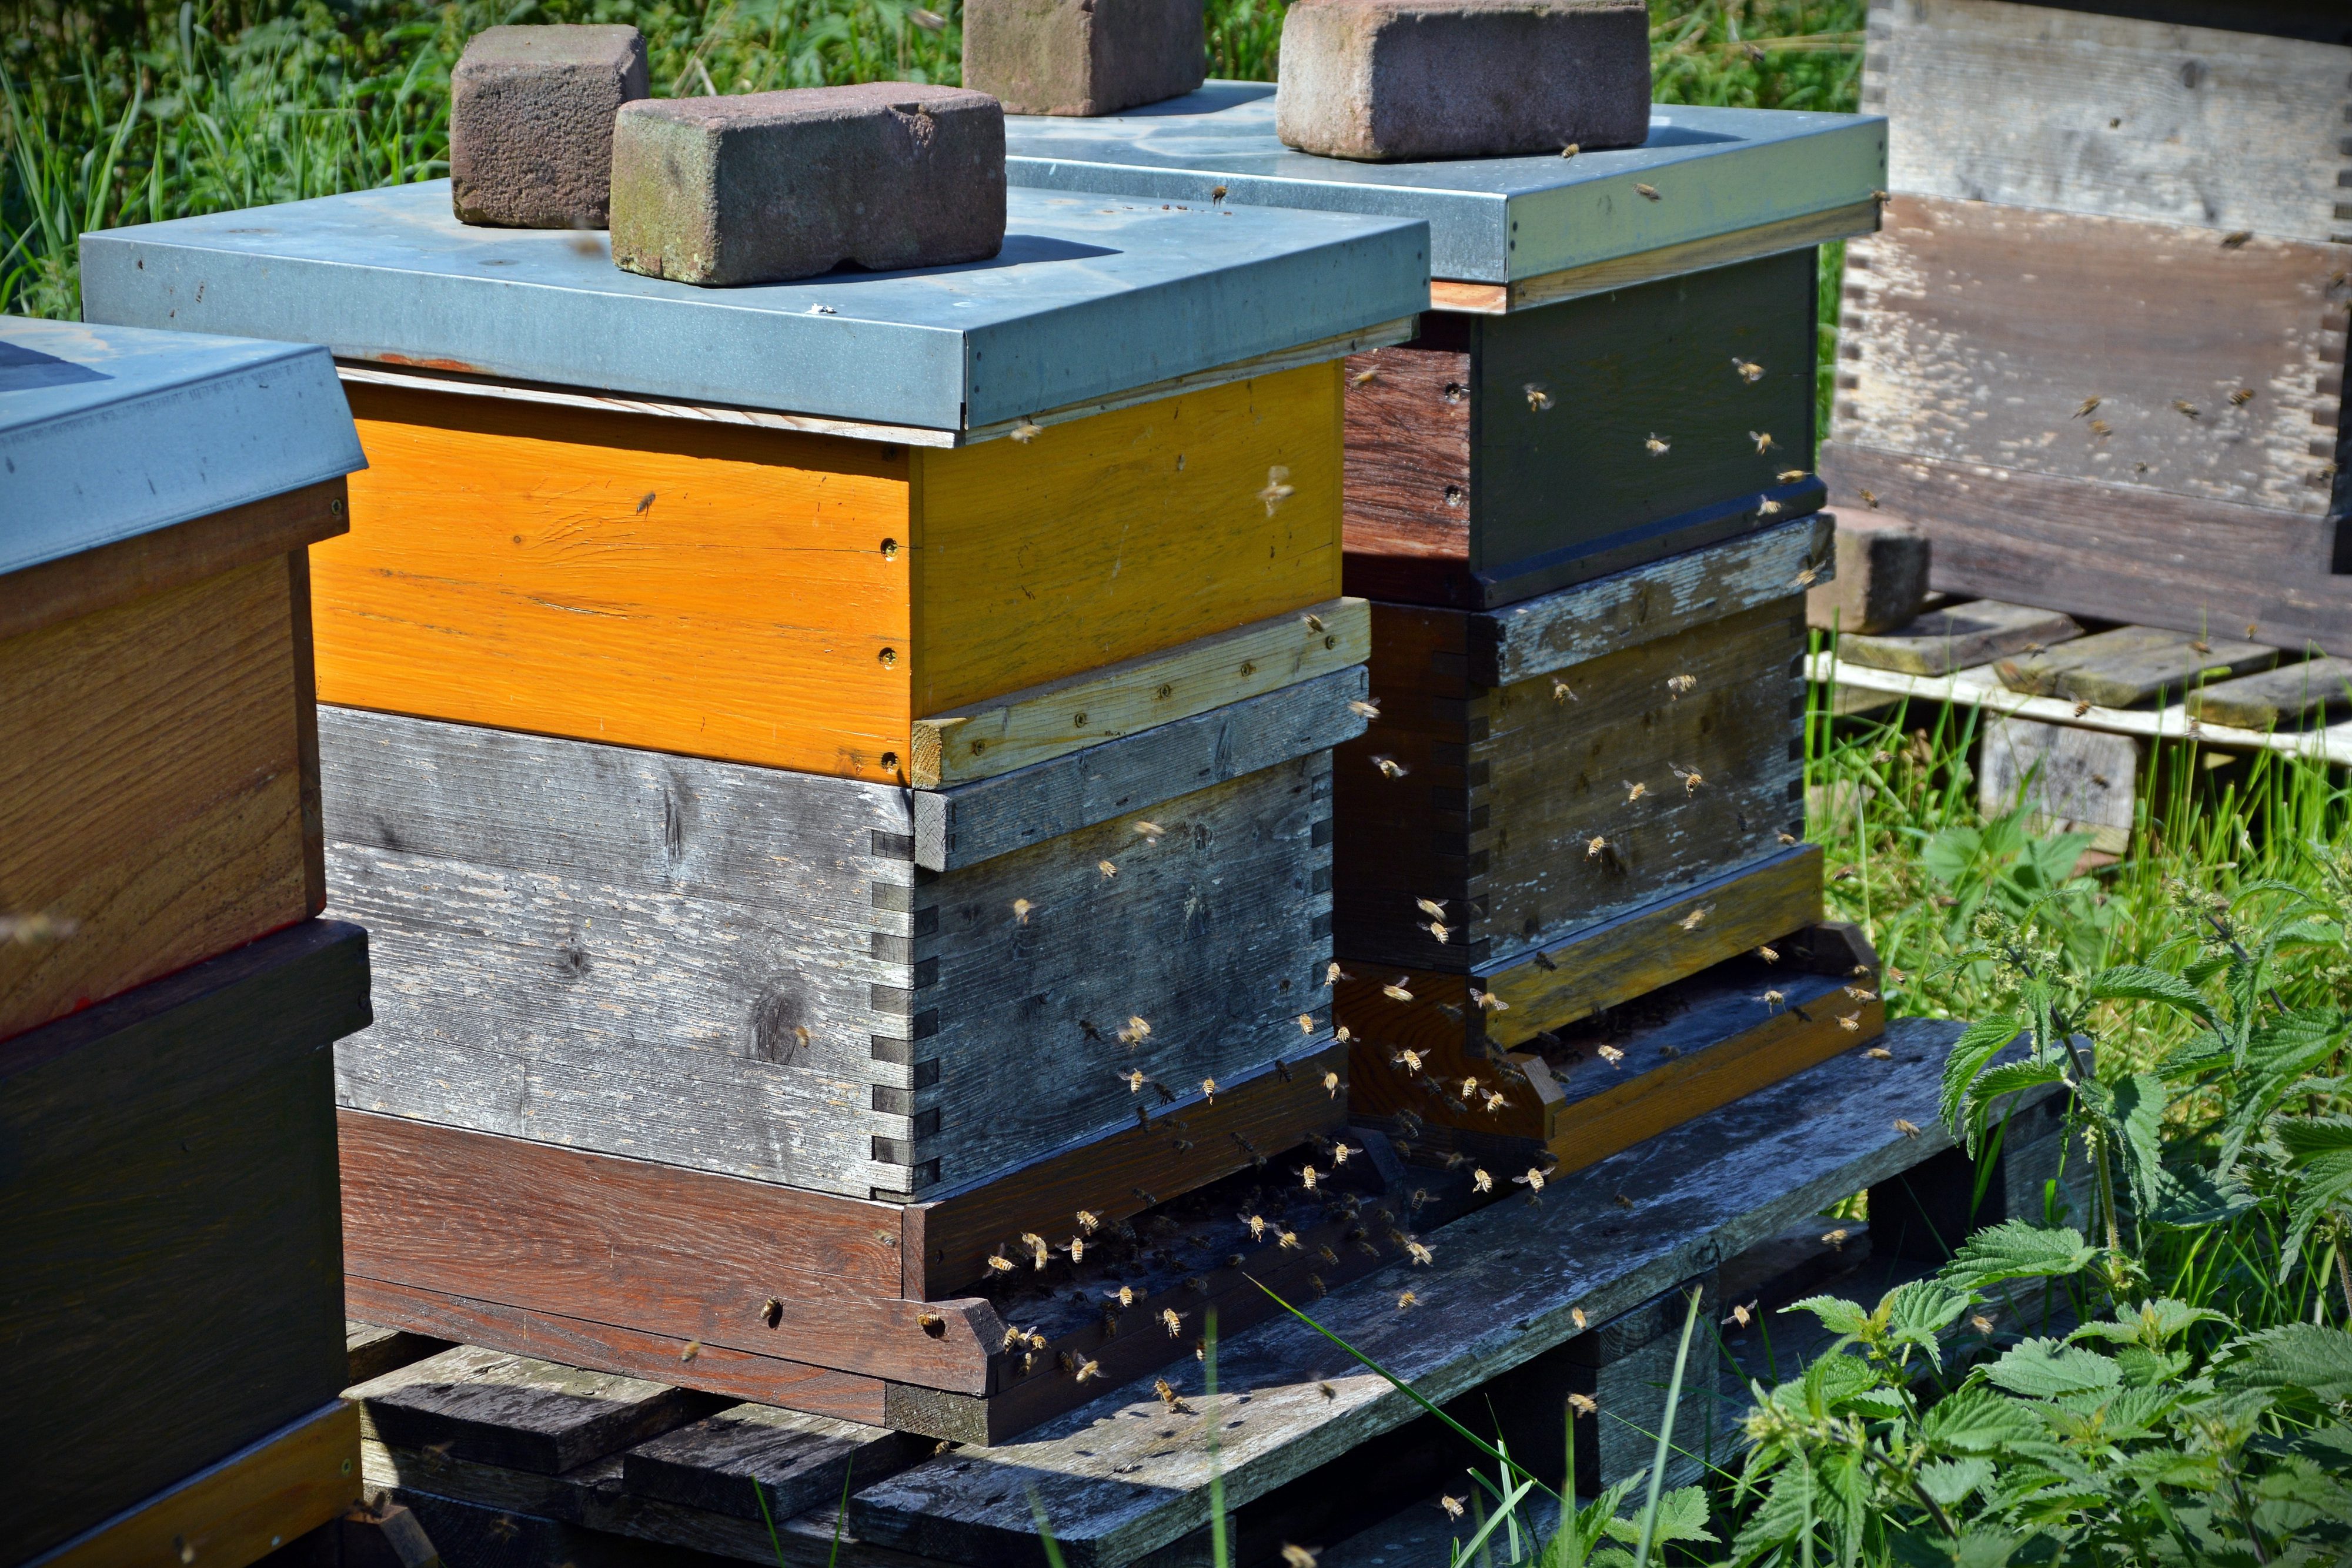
(1090, 297)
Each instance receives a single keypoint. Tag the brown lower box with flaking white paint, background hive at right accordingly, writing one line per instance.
(1960, 351)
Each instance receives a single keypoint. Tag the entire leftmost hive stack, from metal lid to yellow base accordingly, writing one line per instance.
(171, 1294)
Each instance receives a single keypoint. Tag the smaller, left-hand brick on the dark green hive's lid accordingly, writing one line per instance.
(1083, 58)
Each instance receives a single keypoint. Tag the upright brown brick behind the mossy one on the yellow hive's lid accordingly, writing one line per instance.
(530, 123)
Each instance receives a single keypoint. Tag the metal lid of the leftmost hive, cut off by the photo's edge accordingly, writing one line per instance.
(114, 431)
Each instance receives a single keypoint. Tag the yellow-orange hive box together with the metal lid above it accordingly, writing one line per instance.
(815, 525)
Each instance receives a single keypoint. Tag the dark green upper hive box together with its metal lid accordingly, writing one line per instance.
(1579, 311)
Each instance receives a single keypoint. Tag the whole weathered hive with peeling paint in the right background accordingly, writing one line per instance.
(2099, 347)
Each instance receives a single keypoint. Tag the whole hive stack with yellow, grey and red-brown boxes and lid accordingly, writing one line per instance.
(838, 775)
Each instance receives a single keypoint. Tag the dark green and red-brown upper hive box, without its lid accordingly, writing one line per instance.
(1506, 457)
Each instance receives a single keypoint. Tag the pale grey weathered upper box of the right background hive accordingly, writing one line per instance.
(2111, 114)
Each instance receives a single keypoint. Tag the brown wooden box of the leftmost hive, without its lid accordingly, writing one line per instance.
(152, 786)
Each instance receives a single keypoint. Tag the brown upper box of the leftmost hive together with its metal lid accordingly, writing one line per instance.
(159, 786)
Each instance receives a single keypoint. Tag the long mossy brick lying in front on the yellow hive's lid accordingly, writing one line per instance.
(773, 187)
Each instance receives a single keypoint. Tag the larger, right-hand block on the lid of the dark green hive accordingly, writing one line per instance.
(1462, 79)
